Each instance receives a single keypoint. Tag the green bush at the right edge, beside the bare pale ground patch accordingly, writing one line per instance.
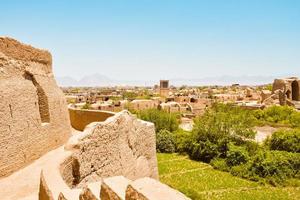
(285, 140)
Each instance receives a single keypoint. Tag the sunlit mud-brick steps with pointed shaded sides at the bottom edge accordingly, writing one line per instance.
(115, 188)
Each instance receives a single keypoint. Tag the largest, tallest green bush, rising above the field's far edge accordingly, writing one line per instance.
(216, 128)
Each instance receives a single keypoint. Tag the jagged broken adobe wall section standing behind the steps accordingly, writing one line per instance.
(121, 145)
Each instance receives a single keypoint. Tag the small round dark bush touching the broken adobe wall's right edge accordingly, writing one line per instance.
(165, 142)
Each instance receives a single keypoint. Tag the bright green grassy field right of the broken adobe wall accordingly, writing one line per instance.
(198, 180)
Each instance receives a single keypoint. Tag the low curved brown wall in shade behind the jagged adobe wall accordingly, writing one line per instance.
(80, 118)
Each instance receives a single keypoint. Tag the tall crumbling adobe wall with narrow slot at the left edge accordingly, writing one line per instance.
(33, 112)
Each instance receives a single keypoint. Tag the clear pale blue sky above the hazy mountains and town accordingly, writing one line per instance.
(160, 39)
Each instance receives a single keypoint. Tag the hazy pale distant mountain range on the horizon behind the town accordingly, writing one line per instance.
(101, 80)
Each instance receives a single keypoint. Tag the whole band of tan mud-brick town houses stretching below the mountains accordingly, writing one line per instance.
(189, 101)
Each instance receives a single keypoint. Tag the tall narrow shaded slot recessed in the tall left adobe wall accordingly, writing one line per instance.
(42, 98)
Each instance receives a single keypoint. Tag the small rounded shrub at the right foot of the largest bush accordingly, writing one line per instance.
(236, 155)
